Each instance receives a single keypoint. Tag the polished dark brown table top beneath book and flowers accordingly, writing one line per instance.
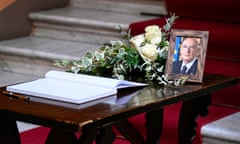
(145, 99)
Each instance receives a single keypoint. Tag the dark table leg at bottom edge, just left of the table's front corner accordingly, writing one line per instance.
(58, 136)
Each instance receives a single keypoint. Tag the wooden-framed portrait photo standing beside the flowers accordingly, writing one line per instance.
(187, 54)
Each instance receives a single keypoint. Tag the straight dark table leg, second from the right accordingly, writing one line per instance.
(154, 122)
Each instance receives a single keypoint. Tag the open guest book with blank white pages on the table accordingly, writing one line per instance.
(67, 89)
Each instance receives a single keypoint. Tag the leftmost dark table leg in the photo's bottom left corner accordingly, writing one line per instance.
(8, 130)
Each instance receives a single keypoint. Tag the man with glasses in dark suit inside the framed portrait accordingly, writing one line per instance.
(188, 62)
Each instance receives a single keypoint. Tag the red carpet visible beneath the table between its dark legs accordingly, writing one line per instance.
(169, 135)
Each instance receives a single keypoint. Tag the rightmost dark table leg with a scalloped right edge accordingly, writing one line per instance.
(189, 112)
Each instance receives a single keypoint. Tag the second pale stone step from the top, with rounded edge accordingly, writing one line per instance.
(81, 24)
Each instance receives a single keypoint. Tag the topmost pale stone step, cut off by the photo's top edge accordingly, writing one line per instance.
(154, 7)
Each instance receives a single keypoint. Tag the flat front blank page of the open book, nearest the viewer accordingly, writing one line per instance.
(61, 90)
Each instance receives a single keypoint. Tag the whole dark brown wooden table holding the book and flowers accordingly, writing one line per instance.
(95, 122)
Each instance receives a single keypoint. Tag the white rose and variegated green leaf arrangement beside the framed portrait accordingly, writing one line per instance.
(141, 56)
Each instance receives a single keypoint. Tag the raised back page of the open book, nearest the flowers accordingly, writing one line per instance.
(92, 80)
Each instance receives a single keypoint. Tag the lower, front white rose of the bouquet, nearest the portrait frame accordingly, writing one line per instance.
(149, 52)
